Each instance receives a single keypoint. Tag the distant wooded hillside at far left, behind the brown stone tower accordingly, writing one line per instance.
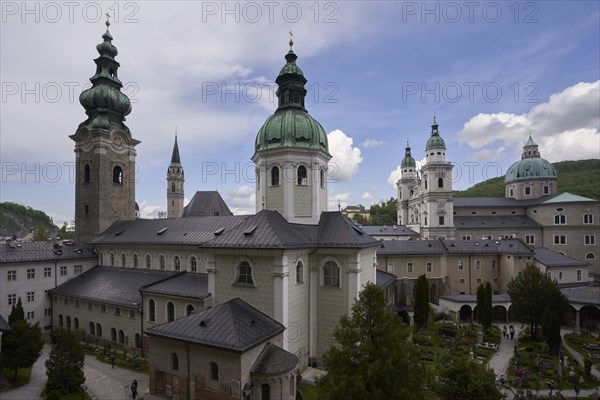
(19, 220)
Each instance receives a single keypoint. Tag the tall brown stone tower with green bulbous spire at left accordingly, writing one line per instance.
(104, 150)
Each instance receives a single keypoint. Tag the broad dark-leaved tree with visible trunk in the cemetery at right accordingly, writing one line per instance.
(531, 291)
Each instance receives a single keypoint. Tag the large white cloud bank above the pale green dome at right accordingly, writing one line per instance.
(565, 127)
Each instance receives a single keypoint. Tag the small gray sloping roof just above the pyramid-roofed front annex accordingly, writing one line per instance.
(192, 285)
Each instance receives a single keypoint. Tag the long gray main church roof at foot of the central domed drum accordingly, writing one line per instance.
(264, 230)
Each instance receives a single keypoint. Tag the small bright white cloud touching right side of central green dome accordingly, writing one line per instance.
(346, 159)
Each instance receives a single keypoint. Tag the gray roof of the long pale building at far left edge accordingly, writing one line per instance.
(44, 251)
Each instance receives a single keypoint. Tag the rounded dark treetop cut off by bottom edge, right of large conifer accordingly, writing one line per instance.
(463, 379)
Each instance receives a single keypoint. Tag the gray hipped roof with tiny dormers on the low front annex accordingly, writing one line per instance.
(234, 325)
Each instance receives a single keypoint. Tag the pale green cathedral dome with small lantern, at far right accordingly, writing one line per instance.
(531, 166)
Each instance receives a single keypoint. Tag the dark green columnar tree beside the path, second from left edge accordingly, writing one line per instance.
(64, 366)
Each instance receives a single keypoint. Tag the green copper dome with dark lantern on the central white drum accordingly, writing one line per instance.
(291, 125)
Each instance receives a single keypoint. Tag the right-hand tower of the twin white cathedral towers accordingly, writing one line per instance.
(437, 212)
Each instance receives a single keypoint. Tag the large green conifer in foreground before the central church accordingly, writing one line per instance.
(372, 360)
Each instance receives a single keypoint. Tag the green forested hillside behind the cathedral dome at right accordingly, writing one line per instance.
(578, 177)
